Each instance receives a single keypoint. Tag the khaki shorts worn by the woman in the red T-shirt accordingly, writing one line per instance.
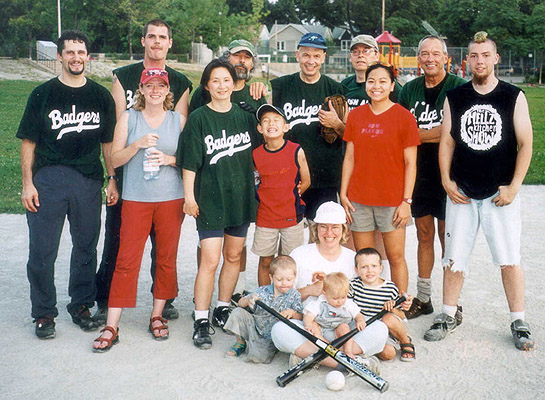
(371, 218)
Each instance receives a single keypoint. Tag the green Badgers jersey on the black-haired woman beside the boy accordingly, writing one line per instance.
(218, 148)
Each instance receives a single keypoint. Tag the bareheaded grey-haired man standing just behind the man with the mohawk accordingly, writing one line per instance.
(424, 97)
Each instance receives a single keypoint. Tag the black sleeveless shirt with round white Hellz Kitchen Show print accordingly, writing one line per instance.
(483, 130)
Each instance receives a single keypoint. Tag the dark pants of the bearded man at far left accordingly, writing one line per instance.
(63, 192)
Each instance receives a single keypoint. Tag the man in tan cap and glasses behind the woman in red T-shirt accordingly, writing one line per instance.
(363, 52)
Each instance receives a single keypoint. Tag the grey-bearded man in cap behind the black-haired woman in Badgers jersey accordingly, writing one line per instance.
(241, 54)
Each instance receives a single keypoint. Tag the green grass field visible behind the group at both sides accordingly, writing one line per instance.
(14, 94)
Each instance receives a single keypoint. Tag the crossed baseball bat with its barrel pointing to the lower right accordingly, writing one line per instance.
(350, 364)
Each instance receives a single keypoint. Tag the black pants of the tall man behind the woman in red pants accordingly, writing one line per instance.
(111, 248)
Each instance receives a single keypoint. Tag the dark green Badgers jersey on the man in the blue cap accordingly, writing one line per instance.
(301, 102)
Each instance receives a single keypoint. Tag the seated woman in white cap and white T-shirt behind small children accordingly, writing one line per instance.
(325, 256)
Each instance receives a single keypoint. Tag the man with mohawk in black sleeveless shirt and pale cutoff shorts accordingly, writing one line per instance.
(484, 154)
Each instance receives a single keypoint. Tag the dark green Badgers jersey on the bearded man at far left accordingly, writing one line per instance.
(68, 125)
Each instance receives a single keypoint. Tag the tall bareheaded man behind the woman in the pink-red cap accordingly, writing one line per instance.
(156, 40)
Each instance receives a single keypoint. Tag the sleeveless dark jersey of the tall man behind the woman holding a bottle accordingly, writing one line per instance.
(129, 77)
